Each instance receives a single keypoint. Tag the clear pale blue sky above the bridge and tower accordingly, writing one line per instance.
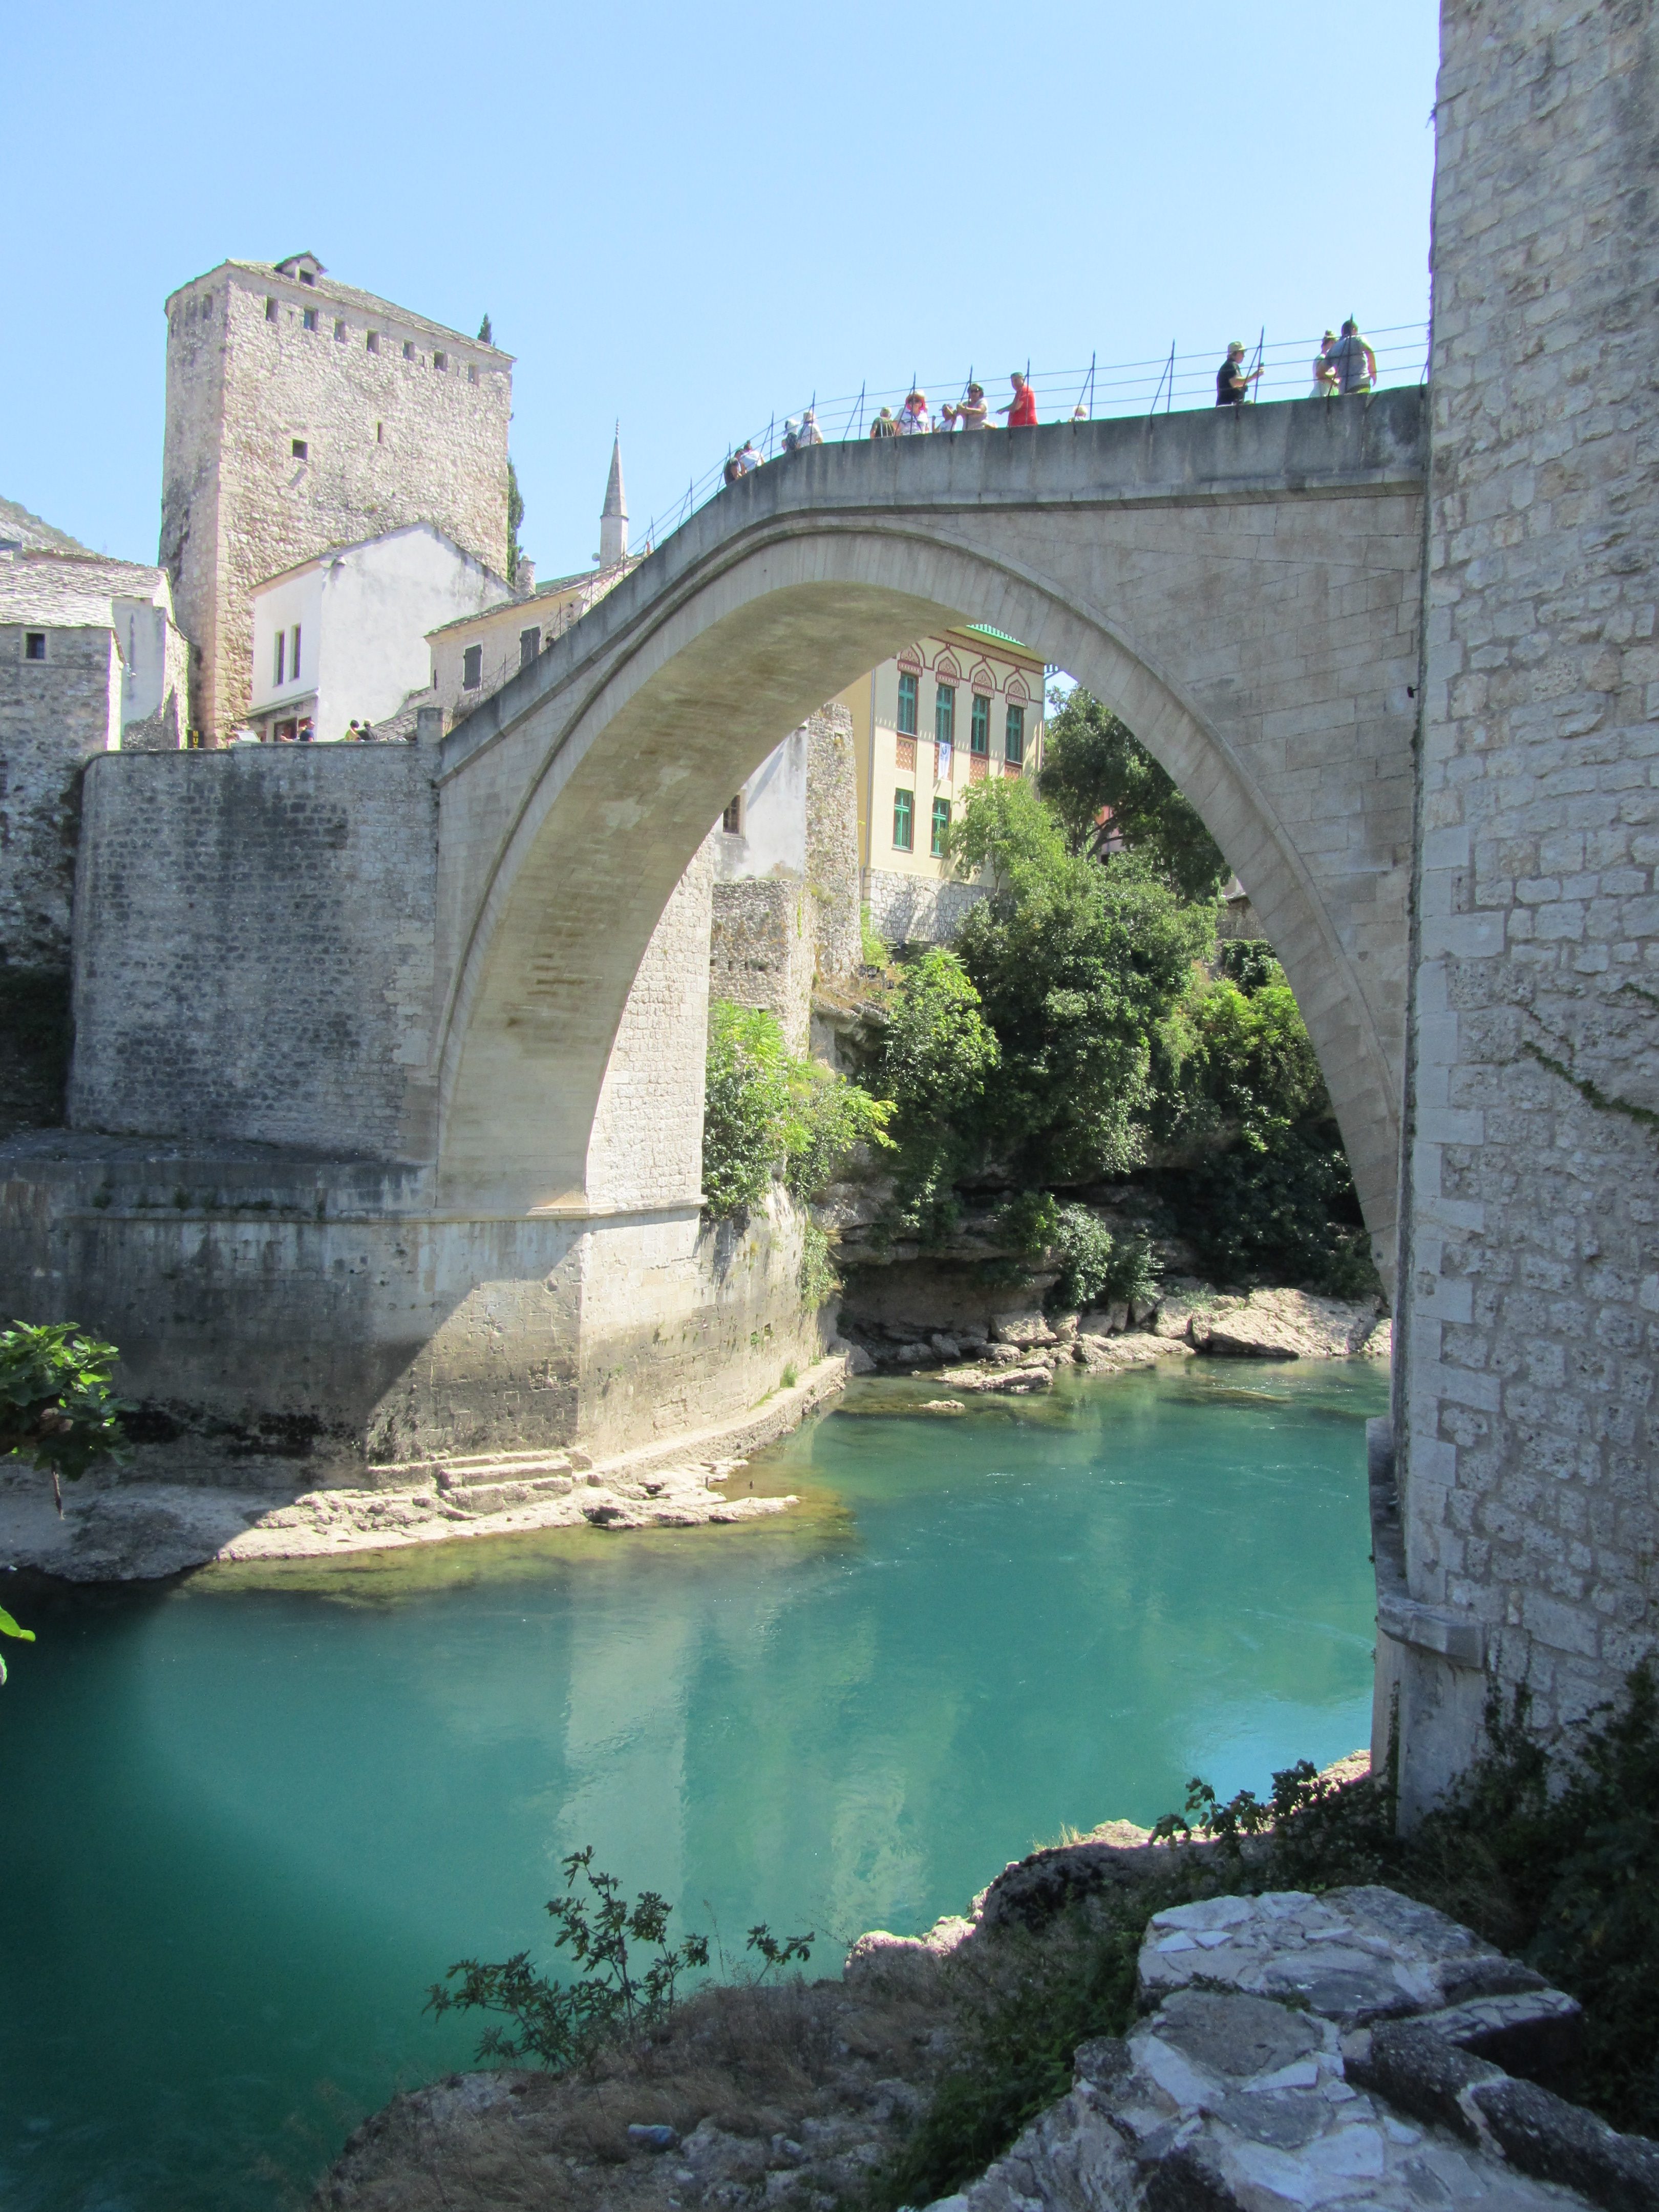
(693, 218)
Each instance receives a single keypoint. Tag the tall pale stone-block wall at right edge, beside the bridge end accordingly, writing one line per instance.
(1530, 1275)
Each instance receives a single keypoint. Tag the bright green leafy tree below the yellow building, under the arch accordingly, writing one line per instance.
(1076, 968)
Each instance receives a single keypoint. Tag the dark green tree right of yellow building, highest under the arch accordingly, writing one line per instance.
(1092, 764)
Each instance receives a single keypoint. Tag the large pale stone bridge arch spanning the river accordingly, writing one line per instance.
(1253, 620)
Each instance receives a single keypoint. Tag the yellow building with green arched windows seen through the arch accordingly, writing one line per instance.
(943, 716)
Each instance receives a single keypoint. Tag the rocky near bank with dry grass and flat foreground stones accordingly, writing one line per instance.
(1284, 2052)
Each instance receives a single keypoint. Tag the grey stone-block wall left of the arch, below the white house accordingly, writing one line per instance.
(286, 897)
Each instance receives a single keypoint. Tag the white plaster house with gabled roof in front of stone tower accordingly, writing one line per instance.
(344, 638)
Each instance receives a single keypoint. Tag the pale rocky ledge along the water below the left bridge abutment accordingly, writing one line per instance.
(123, 1530)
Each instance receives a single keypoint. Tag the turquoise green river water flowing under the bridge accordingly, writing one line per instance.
(251, 1817)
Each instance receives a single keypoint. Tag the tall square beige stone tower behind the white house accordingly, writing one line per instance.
(304, 415)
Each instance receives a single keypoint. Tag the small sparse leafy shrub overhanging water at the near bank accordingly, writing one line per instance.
(563, 2025)
